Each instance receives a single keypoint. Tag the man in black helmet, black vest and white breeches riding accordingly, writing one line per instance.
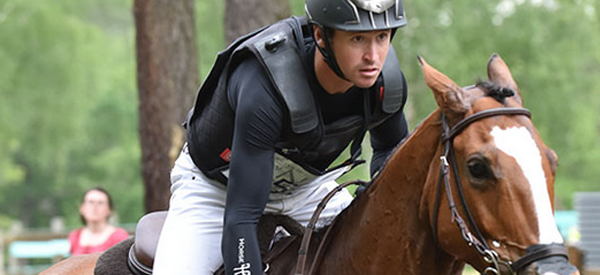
(279, 106)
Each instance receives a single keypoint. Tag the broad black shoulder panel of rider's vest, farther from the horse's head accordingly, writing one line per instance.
(281, 58)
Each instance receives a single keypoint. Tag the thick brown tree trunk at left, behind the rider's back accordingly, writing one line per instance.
(167, 80)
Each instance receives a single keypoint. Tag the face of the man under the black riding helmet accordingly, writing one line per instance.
(361, 55)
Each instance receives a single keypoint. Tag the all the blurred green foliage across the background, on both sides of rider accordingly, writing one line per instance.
(68, 94)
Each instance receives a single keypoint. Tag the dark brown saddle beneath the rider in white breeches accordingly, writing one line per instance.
(141, 254)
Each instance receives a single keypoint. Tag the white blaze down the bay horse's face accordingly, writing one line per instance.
(518, 143)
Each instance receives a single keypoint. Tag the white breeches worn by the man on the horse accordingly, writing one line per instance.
(190, 242)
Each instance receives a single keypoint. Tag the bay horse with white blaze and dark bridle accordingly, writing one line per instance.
(477, 156)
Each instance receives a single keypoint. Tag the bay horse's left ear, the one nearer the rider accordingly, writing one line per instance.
(449, 96)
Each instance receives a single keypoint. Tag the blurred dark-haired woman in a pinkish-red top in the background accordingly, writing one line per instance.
(98, 234)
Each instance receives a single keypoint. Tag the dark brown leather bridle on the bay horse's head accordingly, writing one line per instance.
(478, 241)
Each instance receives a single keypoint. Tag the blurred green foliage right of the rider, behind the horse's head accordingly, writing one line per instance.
(551, 48)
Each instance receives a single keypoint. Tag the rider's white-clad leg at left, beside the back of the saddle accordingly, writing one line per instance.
(190, 242)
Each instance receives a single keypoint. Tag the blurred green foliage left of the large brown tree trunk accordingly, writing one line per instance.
(69, 108)
